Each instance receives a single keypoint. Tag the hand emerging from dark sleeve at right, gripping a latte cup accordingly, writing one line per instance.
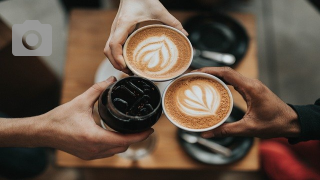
(267, 115)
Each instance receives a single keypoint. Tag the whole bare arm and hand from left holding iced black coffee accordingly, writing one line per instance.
(70, 128)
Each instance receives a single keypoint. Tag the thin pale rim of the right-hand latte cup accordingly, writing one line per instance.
(203, 75)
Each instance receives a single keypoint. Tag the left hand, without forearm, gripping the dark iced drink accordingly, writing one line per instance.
(71, 128)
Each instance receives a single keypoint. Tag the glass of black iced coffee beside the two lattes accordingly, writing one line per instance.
(130, 105)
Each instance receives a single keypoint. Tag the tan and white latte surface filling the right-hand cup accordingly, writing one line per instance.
(197, 102)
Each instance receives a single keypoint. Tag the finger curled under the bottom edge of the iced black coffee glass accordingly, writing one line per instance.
(119, 139)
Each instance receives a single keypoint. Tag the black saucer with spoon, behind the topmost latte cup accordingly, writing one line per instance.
(218, 33)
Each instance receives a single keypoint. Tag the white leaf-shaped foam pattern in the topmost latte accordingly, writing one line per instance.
(156, 54)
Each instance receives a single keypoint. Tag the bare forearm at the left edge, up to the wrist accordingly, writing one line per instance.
(21, 132)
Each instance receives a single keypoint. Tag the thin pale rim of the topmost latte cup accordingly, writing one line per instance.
(156, 25)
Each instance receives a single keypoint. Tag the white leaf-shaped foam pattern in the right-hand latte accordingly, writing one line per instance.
(199, 99)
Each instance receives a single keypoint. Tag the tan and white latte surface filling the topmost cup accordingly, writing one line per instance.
(158, 52)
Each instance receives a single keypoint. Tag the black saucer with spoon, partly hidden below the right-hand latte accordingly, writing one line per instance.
(239, 146)
